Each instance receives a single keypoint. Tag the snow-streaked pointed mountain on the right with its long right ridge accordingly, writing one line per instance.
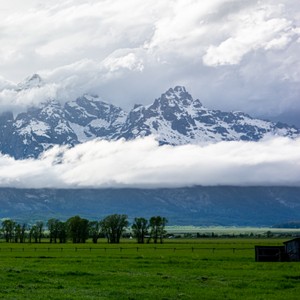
(176, 118)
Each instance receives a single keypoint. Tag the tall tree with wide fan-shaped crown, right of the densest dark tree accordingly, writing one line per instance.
(113, 226)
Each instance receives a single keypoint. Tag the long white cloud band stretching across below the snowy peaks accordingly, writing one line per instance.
(142, 163)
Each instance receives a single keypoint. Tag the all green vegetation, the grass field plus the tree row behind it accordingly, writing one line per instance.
(81, 259)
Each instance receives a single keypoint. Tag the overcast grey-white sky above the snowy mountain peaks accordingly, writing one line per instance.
(231, 54)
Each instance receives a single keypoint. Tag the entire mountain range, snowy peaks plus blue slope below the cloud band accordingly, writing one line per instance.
(174, 118)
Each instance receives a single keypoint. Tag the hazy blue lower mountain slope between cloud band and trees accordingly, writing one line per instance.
(222, 205)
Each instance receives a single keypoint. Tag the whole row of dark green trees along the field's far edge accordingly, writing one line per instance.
(79, 230)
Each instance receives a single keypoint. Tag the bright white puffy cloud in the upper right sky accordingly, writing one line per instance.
(250, 31)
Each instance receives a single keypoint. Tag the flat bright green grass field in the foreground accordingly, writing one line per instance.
(178, 269)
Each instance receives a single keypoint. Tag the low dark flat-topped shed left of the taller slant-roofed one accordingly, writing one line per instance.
(270, 253)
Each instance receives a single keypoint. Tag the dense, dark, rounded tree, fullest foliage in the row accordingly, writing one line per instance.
(78, 229)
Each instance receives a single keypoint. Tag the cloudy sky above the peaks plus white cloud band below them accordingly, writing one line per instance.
(233, 55)
